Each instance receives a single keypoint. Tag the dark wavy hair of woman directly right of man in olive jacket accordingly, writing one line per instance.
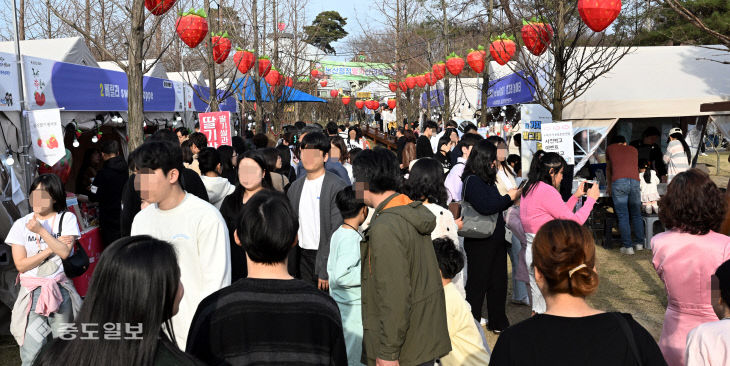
(426, 182)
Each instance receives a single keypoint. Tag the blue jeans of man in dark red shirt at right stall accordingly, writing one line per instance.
(626, 196)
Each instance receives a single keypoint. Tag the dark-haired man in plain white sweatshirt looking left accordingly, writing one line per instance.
(194, 227)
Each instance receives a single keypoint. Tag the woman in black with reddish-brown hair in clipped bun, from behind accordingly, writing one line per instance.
(571, 332)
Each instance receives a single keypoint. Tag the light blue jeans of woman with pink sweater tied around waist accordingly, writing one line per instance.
(38, 325)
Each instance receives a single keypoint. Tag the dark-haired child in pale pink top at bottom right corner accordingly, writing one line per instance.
(709, 343)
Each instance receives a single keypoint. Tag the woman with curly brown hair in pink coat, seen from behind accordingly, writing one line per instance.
(687, 255)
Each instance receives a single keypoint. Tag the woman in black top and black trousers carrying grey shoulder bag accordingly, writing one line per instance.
(487, 258)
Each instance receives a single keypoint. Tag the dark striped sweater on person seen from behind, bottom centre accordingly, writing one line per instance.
(268, 322)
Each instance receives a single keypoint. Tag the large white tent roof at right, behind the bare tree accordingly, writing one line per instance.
(666, 81)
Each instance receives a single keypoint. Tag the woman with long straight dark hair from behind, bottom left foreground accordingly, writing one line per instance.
(135, 282)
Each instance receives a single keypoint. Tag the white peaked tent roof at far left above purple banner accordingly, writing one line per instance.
(72, 50)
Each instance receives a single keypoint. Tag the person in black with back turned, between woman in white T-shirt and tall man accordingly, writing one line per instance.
(107, 190)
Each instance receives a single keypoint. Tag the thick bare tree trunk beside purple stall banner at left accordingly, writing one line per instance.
(135, 98)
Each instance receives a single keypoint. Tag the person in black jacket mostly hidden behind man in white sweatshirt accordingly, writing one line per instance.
(132, 202)
